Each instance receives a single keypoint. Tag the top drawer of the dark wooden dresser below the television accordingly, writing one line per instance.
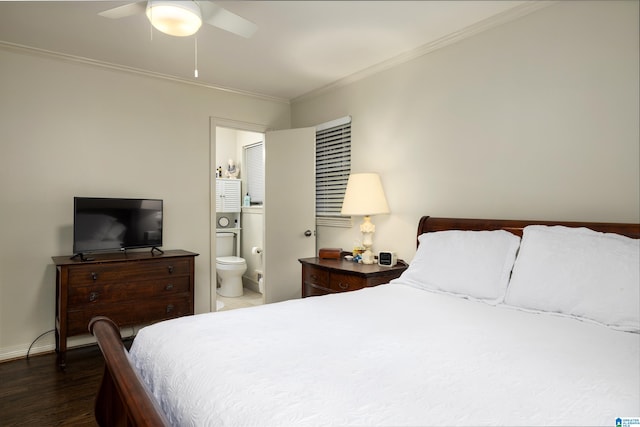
(114, 272)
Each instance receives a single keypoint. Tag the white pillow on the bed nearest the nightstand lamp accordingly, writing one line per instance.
(469, 263)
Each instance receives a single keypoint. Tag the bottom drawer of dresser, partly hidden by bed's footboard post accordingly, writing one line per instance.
(129, 313)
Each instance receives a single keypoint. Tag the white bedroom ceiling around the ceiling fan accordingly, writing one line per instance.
(300, 46)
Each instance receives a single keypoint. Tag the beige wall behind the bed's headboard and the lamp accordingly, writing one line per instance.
(535, 119)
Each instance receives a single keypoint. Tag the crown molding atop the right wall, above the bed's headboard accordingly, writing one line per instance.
(484, 25)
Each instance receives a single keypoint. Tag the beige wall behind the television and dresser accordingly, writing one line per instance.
(70, 129)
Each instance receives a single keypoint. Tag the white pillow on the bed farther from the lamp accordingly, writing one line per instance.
(578, 272)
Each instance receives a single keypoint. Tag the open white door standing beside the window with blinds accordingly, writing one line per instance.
(289, 210)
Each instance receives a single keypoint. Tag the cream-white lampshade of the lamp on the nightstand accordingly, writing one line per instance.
(364, 195)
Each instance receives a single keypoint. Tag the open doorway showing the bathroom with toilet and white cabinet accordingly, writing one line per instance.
(237, 223)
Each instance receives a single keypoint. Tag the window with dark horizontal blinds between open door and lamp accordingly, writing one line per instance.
(333, 165)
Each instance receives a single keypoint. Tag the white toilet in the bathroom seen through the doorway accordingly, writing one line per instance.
(229, 268)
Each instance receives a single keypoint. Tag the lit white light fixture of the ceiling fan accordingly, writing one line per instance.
(176, 18)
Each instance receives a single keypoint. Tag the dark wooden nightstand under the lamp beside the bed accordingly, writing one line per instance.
(326, 276)
